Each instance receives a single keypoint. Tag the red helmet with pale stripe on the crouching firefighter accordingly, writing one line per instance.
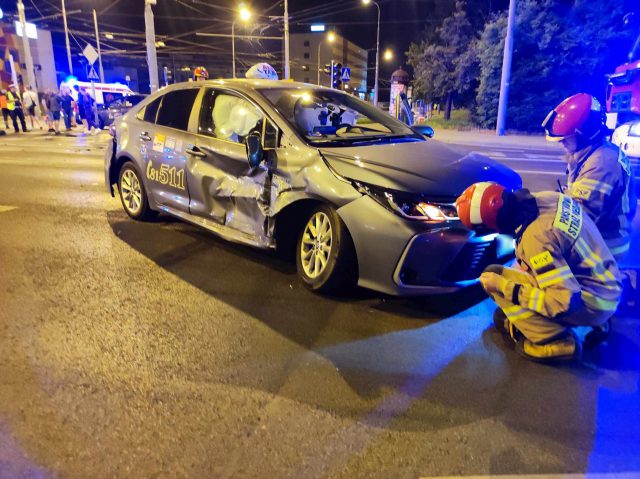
(479, 205)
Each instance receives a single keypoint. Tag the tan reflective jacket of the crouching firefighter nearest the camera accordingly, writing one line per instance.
(569, 261)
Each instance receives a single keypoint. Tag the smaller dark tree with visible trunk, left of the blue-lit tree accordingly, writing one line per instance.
(445, 66)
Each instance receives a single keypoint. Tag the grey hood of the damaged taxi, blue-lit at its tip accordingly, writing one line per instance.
(425, 167)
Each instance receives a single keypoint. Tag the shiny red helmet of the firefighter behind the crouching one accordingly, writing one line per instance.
(579, 114)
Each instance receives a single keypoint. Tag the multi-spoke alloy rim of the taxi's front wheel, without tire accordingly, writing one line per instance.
(315, 248)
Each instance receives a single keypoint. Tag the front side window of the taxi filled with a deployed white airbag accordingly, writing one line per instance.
(227, 116)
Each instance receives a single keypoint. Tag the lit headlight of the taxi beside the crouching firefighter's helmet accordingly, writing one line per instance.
(409, 206)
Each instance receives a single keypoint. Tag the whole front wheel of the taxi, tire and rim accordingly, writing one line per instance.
(339, 269)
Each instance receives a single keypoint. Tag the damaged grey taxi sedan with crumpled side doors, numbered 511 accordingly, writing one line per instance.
(354, 194)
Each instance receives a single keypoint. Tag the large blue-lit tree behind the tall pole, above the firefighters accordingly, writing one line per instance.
(561, 47)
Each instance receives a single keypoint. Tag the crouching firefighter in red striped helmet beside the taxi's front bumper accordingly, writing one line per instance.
(566, 278)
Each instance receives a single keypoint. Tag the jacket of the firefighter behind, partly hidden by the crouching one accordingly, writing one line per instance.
(601, 179)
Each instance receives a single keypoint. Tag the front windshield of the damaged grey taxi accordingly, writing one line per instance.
(332, 118)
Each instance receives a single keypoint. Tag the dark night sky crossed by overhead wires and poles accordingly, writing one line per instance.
(402, 22)
